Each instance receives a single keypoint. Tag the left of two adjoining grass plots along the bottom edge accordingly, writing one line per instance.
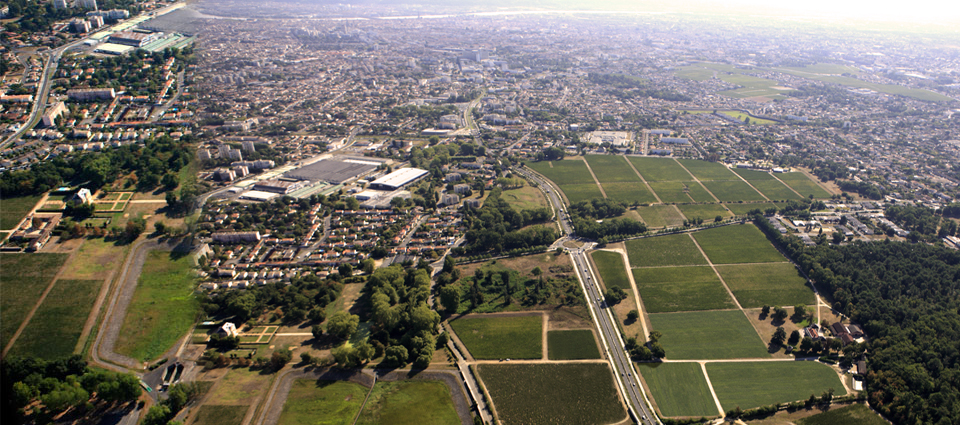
(313, 402)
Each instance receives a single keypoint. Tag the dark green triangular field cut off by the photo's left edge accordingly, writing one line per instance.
(25, 276)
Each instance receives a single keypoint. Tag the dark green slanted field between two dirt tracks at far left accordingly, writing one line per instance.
(55, 328)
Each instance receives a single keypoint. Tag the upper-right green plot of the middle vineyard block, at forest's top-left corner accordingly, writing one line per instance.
(737, 244)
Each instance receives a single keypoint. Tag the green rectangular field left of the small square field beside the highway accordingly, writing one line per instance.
(491, 338)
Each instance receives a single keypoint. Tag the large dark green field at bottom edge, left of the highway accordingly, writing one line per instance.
(552, 393)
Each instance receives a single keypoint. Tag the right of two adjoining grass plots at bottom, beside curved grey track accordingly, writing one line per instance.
(409, 402)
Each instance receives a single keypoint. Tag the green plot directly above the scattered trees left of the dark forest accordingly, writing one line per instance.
(757, 285)
